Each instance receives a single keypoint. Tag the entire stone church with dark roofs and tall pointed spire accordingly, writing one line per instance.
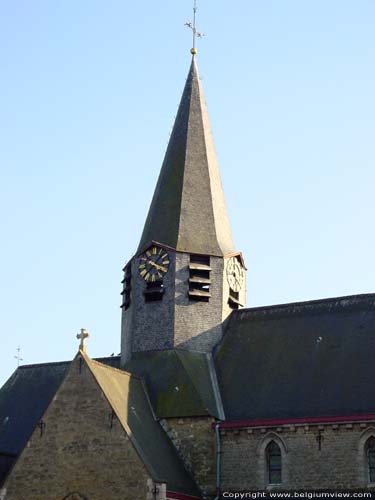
(208, 397)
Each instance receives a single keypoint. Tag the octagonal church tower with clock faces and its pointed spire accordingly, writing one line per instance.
(186, 277)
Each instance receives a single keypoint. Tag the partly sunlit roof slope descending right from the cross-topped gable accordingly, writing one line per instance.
(128, 398)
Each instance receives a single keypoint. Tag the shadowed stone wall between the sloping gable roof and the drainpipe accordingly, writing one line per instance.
(194, 439)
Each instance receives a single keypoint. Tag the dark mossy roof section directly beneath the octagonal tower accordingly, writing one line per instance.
(180, 383)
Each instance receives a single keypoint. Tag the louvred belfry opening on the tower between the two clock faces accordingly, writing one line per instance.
(199, 278)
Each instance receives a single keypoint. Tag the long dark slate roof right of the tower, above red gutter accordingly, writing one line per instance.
(308, 359)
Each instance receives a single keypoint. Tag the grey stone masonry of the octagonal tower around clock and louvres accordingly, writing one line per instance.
(176, 321)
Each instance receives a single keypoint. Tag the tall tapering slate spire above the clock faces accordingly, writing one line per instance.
(188, 210)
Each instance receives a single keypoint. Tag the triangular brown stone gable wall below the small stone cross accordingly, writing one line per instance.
(79, 447)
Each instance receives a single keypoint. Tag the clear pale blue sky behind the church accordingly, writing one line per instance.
(88, 94)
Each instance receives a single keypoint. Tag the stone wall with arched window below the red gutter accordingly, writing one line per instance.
(313, 457)
